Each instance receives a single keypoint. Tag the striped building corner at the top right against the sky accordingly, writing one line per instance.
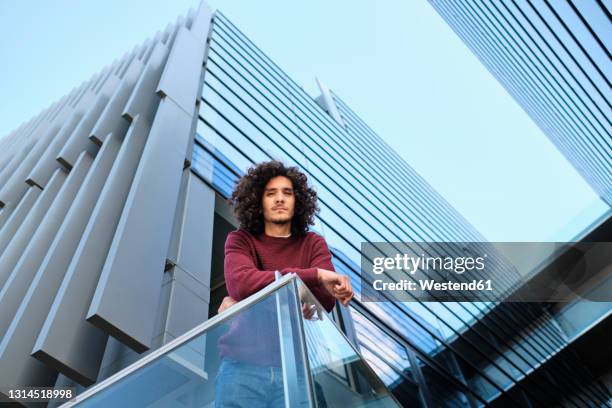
(553, 57)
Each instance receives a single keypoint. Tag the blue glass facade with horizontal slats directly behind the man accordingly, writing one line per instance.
(427, 353)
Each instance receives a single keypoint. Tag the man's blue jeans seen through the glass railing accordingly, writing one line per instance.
(241, 385)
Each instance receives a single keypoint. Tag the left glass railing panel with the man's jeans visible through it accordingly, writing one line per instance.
(233, 363)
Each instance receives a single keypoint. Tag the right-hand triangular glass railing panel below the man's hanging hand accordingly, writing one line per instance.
(340, 374)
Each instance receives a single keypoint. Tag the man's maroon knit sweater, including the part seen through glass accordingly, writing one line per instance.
(250, 262)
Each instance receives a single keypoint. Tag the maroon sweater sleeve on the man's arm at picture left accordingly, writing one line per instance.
(242, 276)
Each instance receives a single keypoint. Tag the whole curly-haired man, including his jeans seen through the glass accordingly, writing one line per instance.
(275, 207)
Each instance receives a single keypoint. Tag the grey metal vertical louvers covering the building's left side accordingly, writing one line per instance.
(88, 194)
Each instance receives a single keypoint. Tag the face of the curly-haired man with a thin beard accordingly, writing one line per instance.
(278, 200)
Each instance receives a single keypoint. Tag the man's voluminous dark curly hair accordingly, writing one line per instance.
(247, 195)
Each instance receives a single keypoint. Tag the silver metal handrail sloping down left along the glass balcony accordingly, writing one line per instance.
(182, 339)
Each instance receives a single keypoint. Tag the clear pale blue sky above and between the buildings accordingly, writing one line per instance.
(396, 63)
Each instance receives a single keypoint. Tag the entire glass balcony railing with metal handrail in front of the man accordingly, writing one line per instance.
(275, 348)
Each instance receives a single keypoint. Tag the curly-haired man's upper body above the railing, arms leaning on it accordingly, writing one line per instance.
(275, 206)
